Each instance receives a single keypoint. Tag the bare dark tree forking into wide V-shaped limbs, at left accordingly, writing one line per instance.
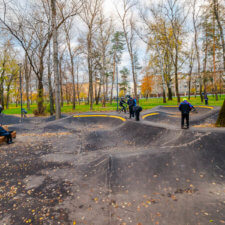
(33, 25)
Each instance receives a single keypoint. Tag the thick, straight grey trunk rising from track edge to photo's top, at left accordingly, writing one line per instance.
(55, 59)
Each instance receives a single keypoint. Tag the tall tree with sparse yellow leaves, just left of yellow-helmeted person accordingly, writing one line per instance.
(155, 35)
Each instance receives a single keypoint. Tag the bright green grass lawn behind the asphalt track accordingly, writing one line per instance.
(146, 104)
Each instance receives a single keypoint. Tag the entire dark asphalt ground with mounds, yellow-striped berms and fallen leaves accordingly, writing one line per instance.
(106, 171)
